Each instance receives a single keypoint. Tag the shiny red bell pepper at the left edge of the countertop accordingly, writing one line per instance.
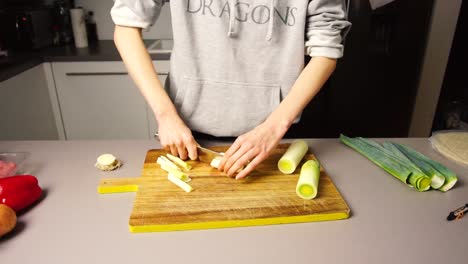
(19, 192)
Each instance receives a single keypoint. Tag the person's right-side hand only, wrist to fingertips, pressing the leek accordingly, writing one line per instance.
(251, 149)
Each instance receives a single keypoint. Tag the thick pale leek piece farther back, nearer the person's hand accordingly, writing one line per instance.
(288, 163)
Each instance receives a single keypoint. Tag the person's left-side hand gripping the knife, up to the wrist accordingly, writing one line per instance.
(177, 138)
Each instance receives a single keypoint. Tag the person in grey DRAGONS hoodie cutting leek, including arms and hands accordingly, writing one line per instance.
(237, 69)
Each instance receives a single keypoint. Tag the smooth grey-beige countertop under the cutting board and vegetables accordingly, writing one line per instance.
(389, 223)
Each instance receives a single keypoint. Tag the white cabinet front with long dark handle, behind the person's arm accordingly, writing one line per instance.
(98, 100)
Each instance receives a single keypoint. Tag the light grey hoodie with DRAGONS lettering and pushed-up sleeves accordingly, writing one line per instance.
(233, 61)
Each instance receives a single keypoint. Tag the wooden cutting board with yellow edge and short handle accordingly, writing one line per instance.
(266, 197)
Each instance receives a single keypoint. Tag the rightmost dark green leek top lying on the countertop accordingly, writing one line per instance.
(450, 177)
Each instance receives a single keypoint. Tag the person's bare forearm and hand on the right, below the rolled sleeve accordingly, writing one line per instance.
(255, 146)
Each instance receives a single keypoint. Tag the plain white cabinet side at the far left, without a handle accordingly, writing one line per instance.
(26, 111)
